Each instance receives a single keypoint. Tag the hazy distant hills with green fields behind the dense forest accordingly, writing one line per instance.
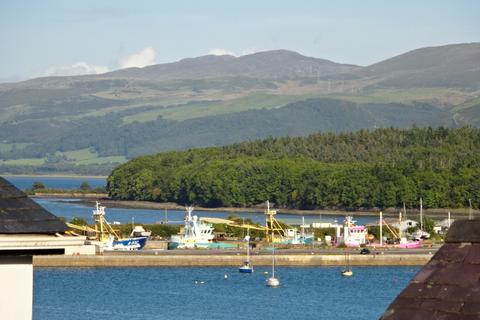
(71, 123)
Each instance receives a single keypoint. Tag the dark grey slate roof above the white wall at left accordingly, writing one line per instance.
(20, 214)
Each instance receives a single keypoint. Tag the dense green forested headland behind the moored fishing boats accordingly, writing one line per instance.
(364, 169)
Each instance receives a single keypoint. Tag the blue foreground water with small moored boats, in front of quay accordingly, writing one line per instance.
(171, 293)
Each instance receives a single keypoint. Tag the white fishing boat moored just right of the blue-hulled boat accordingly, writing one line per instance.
(195, 233)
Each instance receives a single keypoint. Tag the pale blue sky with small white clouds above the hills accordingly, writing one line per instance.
(41, 38)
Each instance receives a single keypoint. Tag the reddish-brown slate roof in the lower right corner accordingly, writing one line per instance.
(448, 287)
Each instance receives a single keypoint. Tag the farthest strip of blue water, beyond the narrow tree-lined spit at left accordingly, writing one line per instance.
(25, 182)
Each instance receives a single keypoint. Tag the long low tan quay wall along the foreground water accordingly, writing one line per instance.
(190, 258)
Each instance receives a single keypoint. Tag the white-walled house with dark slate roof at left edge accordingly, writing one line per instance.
(26, 229)
